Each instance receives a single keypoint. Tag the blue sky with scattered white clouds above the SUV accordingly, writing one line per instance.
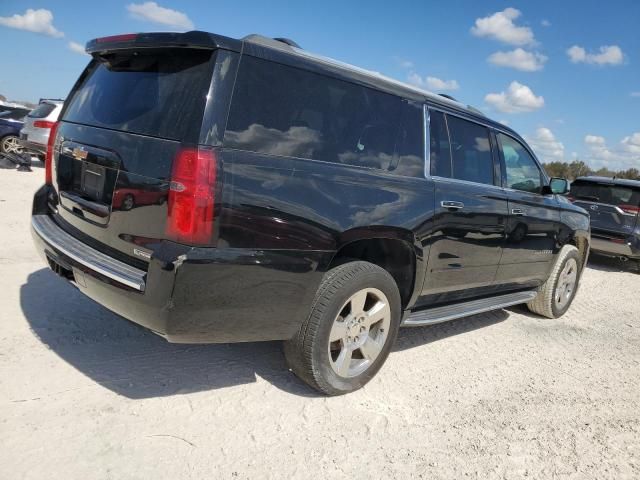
(565, 74)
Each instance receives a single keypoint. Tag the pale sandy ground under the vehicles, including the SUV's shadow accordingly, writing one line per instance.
(85, 394)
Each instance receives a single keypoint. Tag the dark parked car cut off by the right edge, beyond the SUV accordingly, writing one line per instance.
(614, 206)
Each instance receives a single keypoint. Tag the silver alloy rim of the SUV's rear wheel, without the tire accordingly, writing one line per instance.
(359, 332)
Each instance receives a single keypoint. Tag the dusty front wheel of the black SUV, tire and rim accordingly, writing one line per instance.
(557, 285)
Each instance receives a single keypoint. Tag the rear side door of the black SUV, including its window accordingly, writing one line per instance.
(471, 210)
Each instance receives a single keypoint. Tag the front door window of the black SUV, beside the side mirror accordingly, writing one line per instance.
(522, 171)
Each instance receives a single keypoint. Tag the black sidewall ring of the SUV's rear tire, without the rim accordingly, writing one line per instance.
(320, 354)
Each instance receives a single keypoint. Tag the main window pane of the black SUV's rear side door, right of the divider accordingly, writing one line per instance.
(471, 151)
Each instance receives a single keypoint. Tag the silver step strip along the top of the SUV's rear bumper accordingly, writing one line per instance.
(81, 253)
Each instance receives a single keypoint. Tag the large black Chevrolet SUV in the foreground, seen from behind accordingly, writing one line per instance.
(221, 190)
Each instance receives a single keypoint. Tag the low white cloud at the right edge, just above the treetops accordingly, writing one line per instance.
(625, 155)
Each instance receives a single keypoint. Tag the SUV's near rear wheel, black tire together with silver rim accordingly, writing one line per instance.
(335, 314)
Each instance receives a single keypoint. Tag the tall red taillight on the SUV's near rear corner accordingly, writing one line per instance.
(192, 196)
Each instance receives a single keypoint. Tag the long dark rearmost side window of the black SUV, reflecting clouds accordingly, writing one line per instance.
(280, 110)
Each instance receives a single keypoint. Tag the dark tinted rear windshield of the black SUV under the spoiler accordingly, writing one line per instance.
(156, 93)
